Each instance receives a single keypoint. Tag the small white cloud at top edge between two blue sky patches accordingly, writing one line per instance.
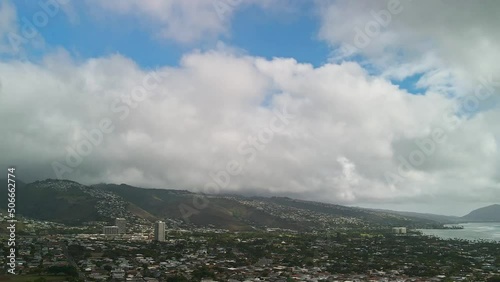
(187, 22)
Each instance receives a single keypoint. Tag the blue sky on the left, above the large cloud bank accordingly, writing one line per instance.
(88, 37)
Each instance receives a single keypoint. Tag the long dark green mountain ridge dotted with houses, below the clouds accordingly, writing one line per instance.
(70, 202)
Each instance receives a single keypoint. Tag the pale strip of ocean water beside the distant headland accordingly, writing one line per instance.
(471, 231)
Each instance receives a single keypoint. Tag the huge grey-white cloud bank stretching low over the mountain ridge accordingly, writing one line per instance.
(348, 128)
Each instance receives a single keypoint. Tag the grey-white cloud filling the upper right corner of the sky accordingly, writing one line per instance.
(451, 43)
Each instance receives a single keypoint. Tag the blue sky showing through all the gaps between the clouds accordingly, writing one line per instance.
(254, 30)
